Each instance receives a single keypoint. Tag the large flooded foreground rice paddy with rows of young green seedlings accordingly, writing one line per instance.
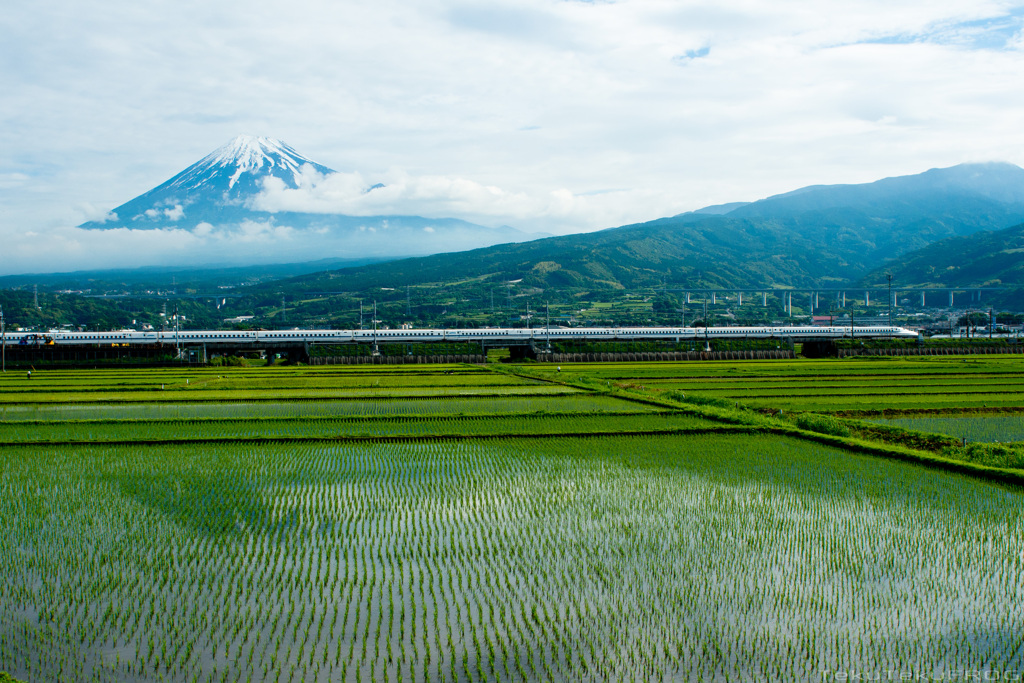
(654, 559)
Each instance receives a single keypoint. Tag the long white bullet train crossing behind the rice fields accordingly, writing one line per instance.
(496, 335)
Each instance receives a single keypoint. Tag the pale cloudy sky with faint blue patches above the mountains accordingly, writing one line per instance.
(548, 115)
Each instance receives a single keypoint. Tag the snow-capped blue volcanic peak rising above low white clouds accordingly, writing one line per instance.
(220, 196)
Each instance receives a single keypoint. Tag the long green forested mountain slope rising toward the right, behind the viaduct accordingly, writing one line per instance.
(813, 237)
